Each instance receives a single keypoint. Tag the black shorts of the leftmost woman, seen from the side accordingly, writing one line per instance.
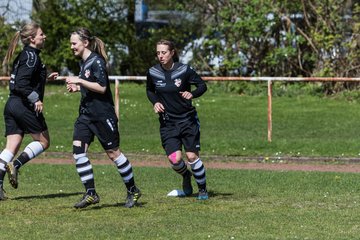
(21, 119)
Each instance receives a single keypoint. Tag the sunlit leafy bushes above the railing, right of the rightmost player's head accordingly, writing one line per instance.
(279, 38)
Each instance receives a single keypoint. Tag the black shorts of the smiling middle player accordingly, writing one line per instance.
(105, 129)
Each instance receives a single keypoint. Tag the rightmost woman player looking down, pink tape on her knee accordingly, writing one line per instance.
(169, 90)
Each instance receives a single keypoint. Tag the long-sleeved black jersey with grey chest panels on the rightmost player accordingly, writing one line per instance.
(164, 86)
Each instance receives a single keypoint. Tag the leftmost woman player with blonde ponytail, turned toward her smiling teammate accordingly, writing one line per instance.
(24, 107)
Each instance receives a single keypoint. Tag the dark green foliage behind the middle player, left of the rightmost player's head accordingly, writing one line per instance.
(112, 21)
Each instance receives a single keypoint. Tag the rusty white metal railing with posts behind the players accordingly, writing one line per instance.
(269, 81)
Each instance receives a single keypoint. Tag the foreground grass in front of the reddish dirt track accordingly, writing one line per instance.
(244, 204)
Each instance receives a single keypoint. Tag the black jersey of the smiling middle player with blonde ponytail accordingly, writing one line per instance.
(95, 105)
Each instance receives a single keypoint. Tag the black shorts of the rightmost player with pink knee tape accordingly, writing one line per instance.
(175, 135)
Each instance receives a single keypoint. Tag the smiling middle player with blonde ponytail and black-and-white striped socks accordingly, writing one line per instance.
(96, 117)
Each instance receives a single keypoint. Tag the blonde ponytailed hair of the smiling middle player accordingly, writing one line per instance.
(96, 44)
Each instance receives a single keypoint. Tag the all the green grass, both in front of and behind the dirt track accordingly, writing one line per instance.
(244, 204)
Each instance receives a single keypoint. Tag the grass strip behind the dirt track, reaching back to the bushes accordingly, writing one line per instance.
(231, 124)
